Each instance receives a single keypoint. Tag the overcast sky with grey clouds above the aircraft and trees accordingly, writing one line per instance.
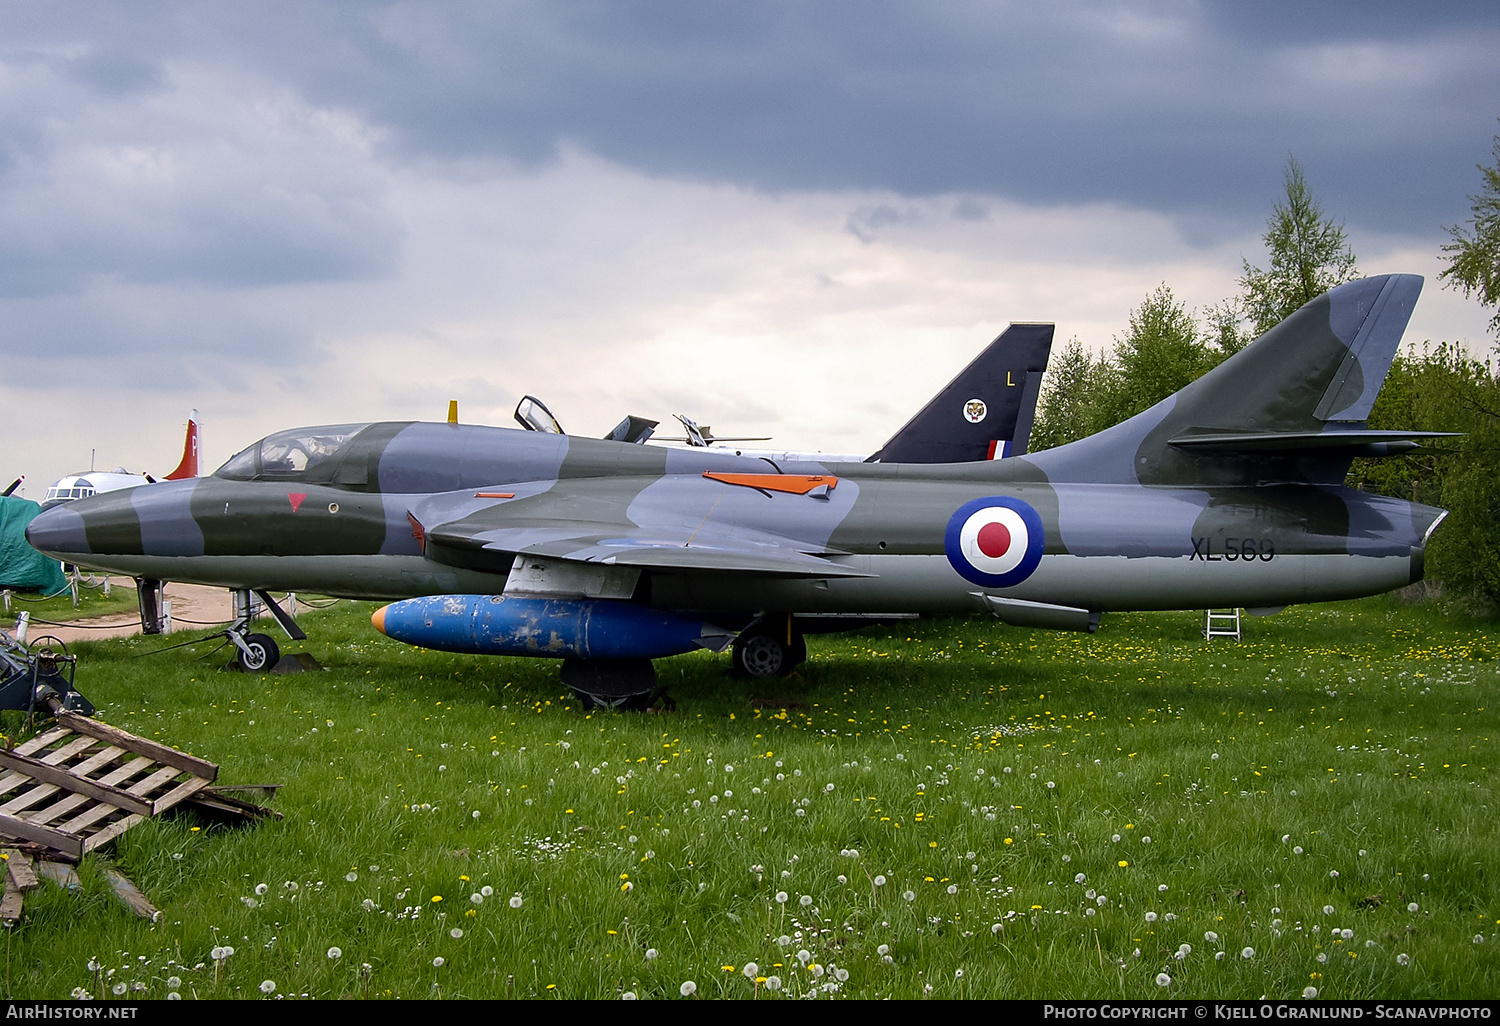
(796, 220)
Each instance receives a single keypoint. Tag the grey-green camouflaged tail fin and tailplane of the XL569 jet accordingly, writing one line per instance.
(1289, 407)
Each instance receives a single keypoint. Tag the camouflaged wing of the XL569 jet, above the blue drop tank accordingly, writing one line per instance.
(463, 532)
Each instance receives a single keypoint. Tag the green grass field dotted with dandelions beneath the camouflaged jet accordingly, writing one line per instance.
(953, 809)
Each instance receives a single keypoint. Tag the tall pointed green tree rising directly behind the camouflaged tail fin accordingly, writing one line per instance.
(1309, 257)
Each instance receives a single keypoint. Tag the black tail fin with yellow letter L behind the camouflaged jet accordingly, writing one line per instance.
(986, 412)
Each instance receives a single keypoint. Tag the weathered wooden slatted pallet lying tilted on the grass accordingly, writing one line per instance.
(83, 784)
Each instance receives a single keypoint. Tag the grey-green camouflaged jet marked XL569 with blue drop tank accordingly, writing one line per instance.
(610, 556)
